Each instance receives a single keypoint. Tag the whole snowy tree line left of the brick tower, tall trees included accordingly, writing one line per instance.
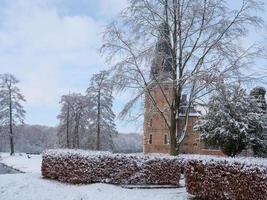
(86, 121)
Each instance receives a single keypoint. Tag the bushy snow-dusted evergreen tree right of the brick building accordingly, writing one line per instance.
(234, 121)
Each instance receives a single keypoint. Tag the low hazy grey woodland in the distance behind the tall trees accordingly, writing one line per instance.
(35, 139)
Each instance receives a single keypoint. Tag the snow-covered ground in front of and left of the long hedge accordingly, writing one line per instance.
(31, 186)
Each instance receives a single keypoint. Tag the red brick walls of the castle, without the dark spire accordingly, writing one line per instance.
(156, 134)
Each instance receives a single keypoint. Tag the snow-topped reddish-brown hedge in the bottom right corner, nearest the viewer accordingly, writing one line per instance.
(222, 178)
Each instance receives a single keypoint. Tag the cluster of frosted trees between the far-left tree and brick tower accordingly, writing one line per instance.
(87, 121)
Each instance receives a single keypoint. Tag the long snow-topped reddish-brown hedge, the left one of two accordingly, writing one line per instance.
(101, 167)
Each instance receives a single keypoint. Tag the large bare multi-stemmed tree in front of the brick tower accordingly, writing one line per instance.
(200, 45)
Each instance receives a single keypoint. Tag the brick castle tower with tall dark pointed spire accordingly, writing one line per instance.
(156, 133)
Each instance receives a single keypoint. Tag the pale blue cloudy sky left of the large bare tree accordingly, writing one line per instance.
(51, 46)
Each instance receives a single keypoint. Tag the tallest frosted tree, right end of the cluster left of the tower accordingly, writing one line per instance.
(100, 95)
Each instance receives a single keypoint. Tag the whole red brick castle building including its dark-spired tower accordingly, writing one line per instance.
(156, 133)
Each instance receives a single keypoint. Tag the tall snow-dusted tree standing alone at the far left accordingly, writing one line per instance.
(11, 110)
